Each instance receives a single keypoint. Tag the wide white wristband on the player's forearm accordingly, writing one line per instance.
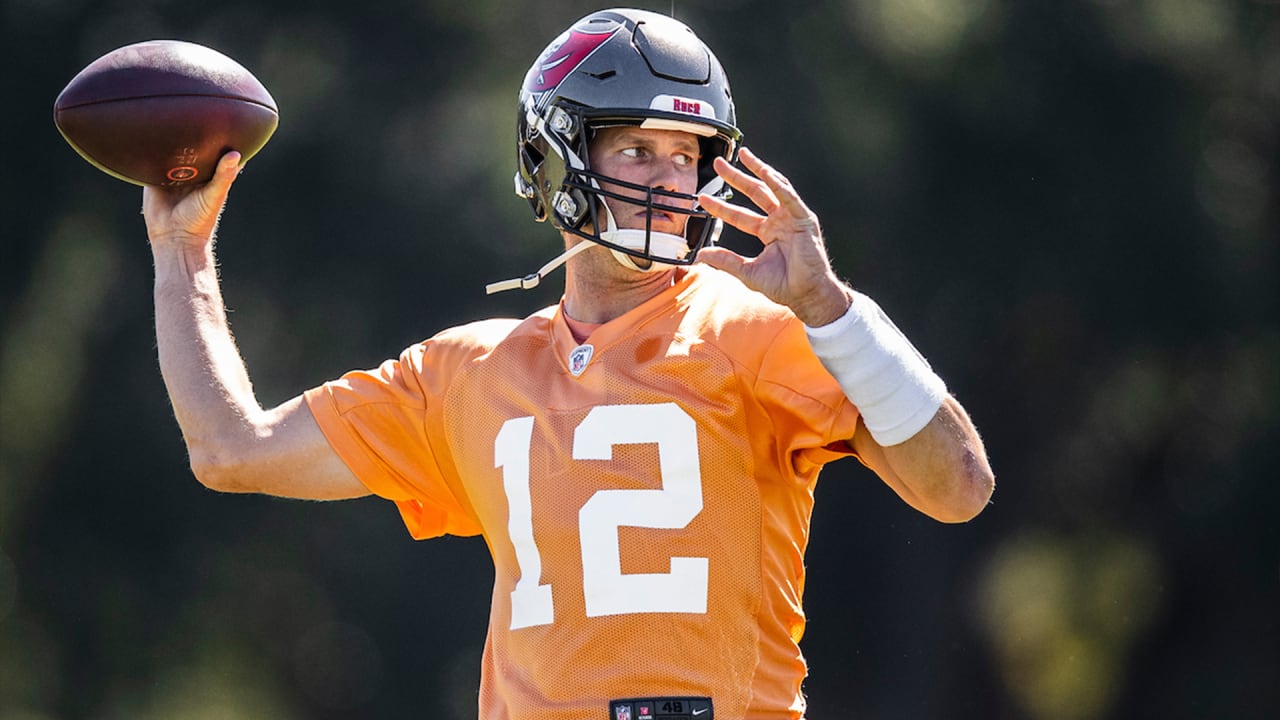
(880, 371)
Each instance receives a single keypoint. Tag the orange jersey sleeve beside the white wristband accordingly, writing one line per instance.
(813, 421)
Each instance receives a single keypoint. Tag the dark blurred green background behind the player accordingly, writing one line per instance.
(1071, 207)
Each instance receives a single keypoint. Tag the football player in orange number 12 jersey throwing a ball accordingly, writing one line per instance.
(641, 458)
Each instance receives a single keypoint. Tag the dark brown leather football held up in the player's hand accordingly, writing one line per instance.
(163, 112)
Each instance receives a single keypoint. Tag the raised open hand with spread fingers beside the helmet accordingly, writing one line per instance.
(794, 268)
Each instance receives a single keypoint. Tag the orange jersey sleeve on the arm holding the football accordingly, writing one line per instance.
(380, 422)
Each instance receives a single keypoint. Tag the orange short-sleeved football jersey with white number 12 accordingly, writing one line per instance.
(646, 495)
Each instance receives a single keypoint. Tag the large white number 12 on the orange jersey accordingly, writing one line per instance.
(606, 590)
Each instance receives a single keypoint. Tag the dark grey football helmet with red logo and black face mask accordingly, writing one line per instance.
(623, 69)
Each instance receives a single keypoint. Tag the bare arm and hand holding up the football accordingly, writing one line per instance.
(235, 444)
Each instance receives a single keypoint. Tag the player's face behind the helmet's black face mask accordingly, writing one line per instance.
(661, 160)
